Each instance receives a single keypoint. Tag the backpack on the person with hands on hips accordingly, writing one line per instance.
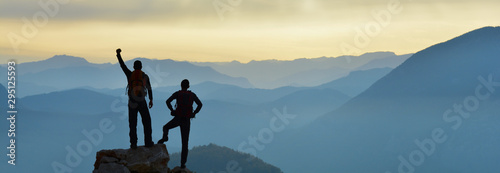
(184, 104)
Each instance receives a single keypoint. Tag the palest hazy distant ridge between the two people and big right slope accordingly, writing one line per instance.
(305, 72)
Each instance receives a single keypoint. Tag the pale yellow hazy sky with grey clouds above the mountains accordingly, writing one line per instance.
(227, 30)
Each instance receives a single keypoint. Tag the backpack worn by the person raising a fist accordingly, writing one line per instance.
(137, 84)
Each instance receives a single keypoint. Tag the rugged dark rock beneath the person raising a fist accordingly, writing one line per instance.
(139, 160)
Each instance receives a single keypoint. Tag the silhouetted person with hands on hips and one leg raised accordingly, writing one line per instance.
(182, 114)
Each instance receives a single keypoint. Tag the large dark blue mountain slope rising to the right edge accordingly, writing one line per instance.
(447, 90)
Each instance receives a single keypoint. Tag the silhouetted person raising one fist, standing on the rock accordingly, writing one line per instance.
(138, 86)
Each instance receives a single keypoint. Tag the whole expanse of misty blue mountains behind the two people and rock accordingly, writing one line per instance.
(352, 114)
